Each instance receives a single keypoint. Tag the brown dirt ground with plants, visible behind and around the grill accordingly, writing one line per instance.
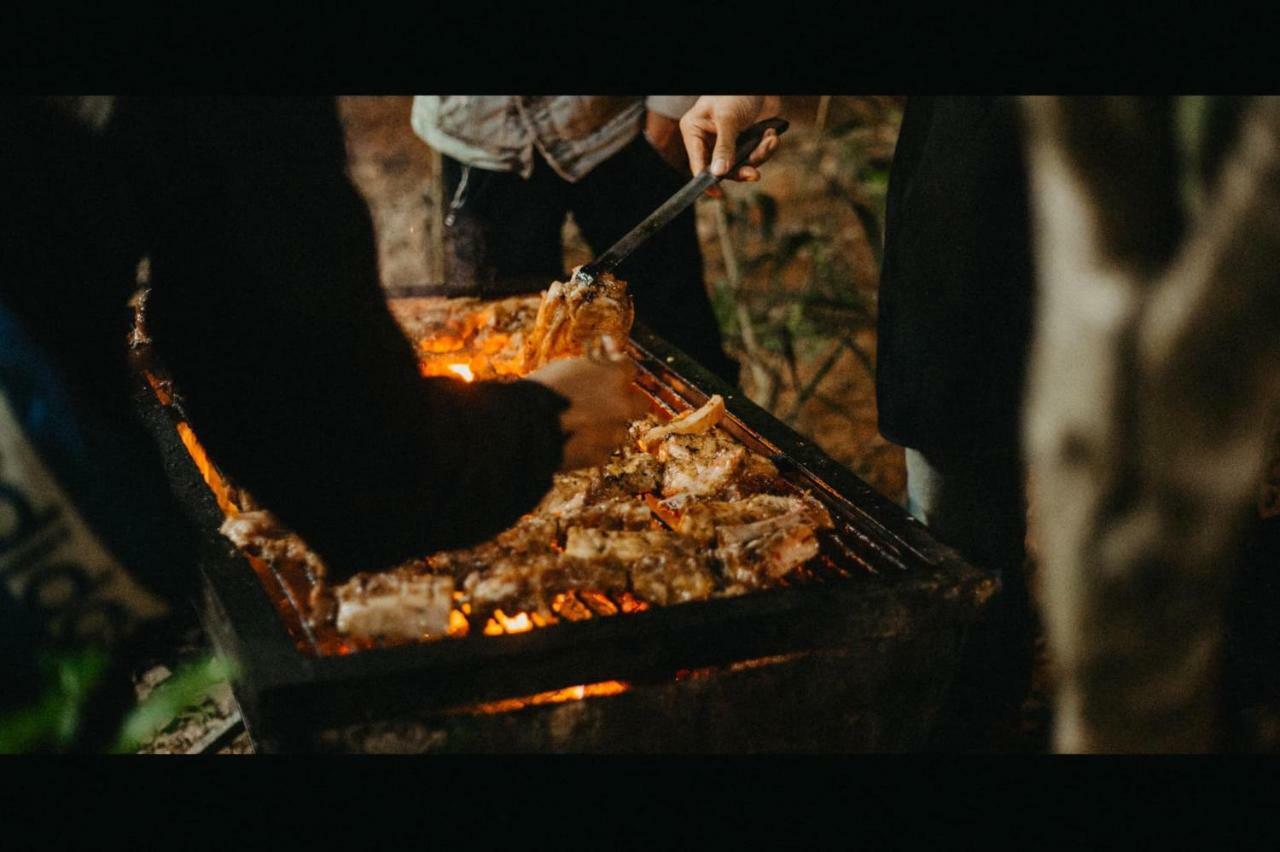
(793, 267)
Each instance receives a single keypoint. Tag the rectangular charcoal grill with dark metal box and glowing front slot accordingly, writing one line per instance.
(854, 653)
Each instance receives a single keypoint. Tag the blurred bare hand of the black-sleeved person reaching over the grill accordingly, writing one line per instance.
(602, 405)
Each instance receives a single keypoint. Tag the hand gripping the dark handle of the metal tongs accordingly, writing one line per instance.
(711, 127)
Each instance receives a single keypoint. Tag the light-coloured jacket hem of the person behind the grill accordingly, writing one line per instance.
(574, 134)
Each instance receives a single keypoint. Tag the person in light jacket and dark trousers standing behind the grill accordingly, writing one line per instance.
(515, 167)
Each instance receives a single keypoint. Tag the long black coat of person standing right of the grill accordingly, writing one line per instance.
(957, 287)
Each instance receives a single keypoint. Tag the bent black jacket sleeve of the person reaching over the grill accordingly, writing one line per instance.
(268, 313)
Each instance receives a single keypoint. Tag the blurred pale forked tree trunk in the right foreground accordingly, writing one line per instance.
(1153, 402)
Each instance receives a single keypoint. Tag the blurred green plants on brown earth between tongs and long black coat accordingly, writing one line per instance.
(794, 271)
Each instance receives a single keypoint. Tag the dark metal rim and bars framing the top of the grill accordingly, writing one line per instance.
(286, 695)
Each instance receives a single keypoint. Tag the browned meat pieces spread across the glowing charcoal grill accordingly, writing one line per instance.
(593, 533)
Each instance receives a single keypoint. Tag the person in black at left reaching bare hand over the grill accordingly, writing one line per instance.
(267, 310)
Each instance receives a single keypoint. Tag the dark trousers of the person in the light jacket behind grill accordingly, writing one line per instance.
(504, 236)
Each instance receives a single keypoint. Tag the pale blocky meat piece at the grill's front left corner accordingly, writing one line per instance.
(400, 606)
